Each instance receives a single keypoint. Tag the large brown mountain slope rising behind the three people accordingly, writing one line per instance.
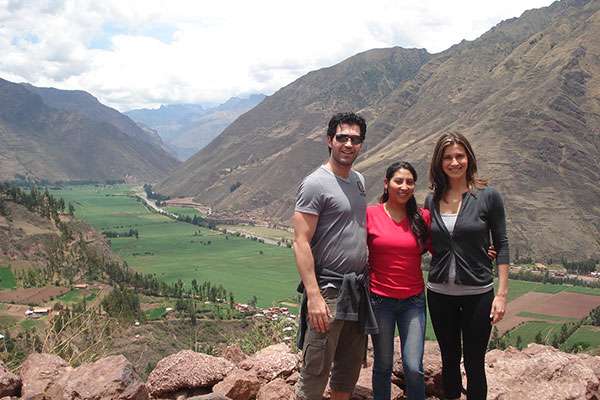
(526, 93)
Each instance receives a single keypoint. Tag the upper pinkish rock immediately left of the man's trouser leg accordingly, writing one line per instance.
(272, 362)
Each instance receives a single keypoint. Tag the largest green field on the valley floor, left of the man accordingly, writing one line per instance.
(173, 250)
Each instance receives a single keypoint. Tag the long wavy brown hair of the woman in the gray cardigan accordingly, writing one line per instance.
(438, 182)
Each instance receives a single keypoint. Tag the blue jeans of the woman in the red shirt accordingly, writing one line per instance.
(409, 316)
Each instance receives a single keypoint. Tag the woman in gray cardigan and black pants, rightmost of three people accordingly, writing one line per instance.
(465, 212)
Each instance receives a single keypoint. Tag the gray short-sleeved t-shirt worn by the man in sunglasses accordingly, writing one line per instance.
(340, 239)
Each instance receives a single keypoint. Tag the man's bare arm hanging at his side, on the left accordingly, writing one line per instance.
(304, 228)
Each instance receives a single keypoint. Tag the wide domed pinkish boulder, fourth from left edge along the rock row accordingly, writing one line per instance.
(187, 370)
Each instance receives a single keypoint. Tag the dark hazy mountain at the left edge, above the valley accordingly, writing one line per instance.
(64, 143)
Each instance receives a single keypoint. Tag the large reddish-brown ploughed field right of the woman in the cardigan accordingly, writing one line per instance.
(562, 304)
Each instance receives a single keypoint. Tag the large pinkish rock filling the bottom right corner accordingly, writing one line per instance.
(541, 372)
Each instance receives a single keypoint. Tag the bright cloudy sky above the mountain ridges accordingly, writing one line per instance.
(144, 53)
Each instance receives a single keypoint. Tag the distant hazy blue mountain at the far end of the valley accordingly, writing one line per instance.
(187, 128)
